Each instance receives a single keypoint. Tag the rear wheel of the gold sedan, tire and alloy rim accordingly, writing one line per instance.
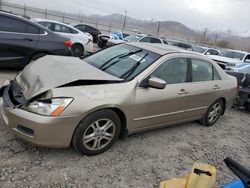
(213, 113)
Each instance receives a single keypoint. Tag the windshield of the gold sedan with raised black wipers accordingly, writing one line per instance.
(120, 59)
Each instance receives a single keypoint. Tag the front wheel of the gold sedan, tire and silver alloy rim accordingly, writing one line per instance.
(97, 132)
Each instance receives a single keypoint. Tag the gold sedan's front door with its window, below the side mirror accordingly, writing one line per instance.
(156, 107)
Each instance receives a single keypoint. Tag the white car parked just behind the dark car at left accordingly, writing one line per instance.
(81, 42)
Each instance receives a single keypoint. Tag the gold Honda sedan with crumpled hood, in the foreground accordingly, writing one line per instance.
(58, 101)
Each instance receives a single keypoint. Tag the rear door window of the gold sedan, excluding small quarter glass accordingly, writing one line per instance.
(201, 70)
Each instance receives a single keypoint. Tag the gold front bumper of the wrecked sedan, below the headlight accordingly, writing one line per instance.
(37, 129)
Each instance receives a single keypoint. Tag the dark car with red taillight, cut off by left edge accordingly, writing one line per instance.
(22, 41)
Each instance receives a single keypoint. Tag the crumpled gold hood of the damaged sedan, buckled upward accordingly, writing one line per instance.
(53, 71)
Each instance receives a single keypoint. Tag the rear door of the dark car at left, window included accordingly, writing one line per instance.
(18, 40)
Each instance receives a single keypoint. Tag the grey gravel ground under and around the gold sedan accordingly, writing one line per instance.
(142, 160)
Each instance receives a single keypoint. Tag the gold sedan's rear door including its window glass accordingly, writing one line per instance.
(205, 87)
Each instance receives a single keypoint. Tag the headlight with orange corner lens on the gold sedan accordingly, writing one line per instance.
(48, 107)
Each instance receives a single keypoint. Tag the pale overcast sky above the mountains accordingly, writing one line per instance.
(196, 14)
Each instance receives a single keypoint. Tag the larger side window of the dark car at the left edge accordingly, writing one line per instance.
(12, 25)
